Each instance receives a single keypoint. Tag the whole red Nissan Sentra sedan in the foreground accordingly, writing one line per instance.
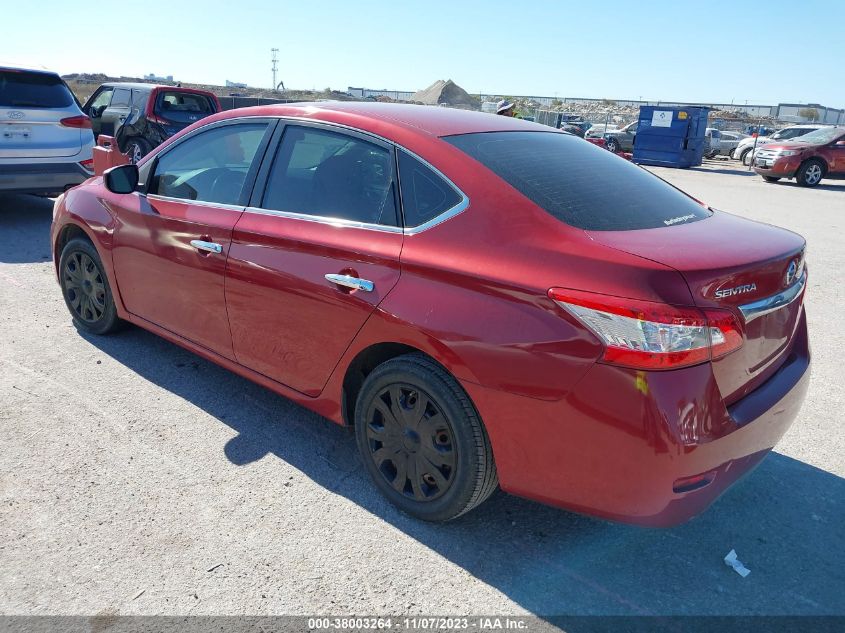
(489, 302)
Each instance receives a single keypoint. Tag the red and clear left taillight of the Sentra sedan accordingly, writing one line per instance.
(650, 335)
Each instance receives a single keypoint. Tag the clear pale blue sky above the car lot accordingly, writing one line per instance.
(719, 51)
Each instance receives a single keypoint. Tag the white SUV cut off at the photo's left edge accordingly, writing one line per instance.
(45, 139)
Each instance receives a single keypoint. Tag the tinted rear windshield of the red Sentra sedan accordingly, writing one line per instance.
(579, 183)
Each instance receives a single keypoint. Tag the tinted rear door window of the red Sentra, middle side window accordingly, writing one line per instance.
(330, 174)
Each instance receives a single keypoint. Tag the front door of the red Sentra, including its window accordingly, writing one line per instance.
(172, 238)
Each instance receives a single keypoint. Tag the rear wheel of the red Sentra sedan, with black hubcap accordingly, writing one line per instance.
(411, 416)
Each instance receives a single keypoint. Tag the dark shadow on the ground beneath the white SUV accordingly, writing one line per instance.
(25, 228)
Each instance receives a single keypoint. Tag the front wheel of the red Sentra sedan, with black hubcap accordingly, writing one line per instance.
(86, 289)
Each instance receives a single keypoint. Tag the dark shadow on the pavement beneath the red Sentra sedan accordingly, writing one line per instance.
(786, 520)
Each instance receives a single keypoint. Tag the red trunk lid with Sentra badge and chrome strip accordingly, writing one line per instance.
(735, 264)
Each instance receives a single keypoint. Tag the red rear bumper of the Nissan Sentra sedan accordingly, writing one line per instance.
(618, 444)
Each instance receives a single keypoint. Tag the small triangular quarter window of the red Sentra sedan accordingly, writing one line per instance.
(425, 195)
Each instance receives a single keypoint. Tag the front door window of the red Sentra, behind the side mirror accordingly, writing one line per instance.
(211, 166)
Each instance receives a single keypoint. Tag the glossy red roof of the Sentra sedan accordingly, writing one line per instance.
(384, 117)
